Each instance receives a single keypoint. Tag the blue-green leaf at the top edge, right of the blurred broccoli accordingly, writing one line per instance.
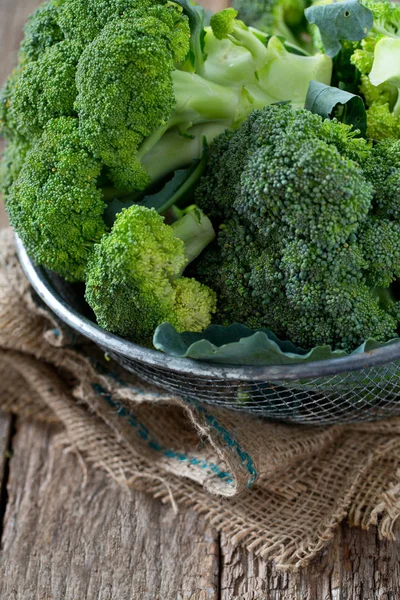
(340, 21)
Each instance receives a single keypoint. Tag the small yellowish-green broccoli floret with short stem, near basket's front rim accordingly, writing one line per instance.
(134, 280)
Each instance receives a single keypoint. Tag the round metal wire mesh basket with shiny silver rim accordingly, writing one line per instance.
(361, 387)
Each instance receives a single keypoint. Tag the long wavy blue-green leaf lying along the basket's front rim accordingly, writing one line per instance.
(239, 345)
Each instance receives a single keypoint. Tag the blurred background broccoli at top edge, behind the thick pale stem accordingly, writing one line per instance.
(278, 17)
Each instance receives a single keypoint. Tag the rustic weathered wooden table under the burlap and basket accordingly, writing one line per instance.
(71, 534)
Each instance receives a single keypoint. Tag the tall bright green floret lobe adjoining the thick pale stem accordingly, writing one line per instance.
(125, 89)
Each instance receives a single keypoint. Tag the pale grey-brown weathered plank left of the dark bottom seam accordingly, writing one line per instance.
(70, 538)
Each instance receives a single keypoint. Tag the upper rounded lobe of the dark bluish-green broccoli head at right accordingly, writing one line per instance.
(293, 166)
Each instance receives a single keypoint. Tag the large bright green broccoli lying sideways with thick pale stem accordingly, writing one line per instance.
(135, 87)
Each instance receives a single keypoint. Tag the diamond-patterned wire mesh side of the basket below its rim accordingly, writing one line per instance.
(365, 395)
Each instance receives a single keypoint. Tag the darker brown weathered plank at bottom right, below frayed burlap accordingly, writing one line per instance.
(355, 566)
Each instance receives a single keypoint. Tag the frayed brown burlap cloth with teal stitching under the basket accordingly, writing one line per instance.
(278, 490)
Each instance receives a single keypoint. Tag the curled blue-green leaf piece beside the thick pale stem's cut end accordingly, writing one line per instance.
(329, 102)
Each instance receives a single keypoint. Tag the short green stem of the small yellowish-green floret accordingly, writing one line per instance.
(196, 231)
